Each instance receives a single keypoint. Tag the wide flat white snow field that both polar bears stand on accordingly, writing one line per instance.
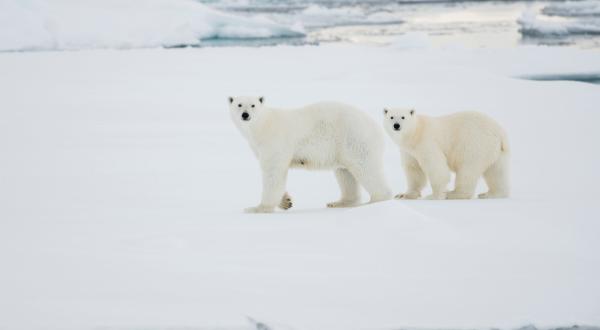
(123, 183)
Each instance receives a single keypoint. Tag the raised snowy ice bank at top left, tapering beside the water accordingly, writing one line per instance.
(83, 24)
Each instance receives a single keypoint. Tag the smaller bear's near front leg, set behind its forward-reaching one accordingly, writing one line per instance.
(436, 168)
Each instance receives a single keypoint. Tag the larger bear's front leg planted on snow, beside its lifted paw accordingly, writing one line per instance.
(274, 178)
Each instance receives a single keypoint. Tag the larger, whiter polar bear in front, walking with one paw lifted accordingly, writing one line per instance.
(324, 135)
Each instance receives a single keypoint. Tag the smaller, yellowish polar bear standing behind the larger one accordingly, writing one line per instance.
(470, 144)
